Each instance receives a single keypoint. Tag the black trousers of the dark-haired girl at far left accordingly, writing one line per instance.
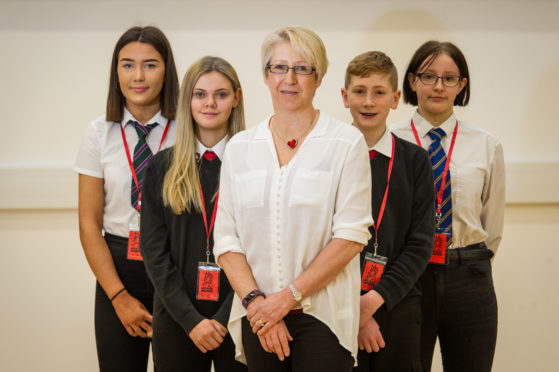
(117, 351)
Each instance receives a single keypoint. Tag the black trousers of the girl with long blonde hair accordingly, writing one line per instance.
(174, 351)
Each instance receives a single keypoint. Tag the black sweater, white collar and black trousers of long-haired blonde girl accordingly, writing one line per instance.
(172, 246)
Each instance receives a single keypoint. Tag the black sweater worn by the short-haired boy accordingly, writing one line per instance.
(407, 228)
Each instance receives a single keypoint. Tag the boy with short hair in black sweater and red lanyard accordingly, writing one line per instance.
(403, 210)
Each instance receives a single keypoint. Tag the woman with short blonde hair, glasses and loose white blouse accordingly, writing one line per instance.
(294, 212)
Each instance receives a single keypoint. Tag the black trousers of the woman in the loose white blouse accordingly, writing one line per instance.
(314, 348)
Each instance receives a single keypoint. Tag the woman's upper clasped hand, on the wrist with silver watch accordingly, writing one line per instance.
(270, 310)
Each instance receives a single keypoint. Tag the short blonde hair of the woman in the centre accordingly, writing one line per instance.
(304, 41)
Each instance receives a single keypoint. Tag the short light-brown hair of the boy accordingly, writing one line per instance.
(369, 63)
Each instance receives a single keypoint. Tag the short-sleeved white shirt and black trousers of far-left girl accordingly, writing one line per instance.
(102, 154)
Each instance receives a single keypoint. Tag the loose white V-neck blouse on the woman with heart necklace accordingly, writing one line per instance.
(281, 218)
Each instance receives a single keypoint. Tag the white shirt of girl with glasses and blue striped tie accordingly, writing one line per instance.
(477, 171)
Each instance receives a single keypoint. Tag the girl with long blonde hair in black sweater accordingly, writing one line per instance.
(192, 296)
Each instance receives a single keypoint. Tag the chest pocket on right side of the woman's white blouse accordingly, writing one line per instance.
(311, 188)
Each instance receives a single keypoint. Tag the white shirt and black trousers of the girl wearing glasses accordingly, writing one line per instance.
(458, 302)
